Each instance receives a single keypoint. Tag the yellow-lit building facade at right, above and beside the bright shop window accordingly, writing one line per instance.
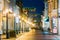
(52, 11)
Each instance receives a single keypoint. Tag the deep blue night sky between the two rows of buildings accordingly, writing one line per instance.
(38, 4)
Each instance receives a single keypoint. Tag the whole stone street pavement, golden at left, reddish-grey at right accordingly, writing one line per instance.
(33, 35)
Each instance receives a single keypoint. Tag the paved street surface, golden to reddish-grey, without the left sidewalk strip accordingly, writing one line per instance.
(36, 35)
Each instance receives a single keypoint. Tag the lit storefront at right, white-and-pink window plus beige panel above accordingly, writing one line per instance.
(54, 21)
